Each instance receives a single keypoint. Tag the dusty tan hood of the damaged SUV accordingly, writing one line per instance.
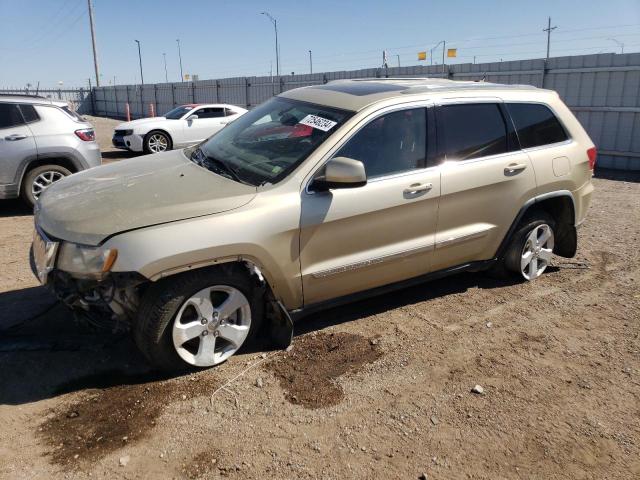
(89, 206)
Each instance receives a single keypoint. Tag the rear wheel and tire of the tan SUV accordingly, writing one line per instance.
(513, 262)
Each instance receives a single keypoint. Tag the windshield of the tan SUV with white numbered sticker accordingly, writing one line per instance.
(266, 144)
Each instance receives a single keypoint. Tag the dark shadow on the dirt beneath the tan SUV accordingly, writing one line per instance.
(46, 352)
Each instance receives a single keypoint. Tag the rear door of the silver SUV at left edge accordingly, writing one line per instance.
(17, 144)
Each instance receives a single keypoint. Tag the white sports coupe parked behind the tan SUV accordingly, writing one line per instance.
(183, 126)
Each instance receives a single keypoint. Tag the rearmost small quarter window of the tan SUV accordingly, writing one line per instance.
(536, 124)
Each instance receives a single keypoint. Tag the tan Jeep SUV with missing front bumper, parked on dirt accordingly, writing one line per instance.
(319, 196)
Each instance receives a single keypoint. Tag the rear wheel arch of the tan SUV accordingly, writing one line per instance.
(561, 206)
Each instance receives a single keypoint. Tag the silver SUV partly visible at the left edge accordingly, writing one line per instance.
(41, 142)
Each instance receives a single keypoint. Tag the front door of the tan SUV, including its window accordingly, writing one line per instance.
(360, 238)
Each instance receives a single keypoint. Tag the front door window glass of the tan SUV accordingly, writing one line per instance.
(393, 143)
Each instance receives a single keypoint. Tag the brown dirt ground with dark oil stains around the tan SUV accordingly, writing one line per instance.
(376, 389)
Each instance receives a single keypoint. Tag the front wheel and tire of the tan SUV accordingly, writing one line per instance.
(174, 309)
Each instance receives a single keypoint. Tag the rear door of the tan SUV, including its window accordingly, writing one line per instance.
(486, 179)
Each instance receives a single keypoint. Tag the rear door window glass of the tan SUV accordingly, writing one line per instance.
(469, 131)
